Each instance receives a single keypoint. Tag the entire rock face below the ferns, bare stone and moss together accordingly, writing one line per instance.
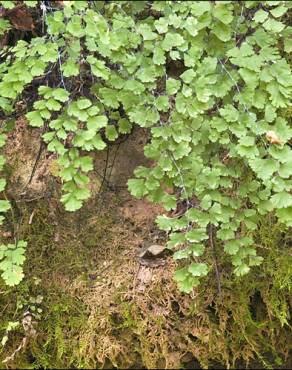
(101, 295)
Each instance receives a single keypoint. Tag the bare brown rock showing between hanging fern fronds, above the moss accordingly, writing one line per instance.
(34, 171)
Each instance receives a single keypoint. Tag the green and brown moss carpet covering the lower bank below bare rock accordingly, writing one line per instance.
(101, 309)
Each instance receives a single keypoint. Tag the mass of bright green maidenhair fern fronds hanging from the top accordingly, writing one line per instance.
(219, 138)
